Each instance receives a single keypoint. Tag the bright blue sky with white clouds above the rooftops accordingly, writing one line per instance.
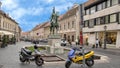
(29, 13)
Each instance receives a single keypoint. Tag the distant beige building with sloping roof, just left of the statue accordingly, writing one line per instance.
(39, 32)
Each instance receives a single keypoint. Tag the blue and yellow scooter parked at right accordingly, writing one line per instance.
(78, 59)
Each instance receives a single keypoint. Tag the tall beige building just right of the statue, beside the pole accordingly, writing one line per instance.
(69, 26)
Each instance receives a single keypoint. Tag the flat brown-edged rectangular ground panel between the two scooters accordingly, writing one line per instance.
(52, 58)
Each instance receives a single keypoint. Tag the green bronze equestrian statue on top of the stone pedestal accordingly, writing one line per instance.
(54, 22)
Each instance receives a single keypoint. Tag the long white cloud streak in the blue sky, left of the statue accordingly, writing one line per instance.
(20, 12)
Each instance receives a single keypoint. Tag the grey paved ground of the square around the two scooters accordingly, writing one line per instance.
(9, 58)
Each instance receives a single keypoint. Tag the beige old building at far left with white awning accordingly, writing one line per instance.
(9, 26)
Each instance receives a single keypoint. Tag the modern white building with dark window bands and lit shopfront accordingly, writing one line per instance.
(102, 16)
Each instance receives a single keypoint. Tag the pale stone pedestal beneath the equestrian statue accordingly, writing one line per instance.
(54, 42)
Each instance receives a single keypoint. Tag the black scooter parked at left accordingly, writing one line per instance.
(27, 56)
